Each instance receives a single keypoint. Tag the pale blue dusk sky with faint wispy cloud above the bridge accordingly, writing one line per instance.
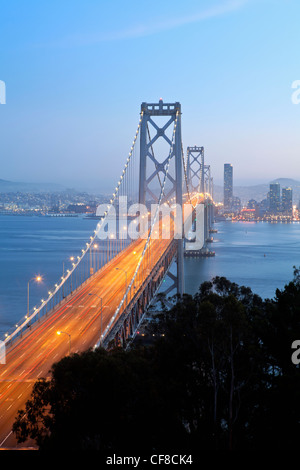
(76, 73)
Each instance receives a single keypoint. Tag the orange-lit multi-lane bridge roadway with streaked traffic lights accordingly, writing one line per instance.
(31, 356)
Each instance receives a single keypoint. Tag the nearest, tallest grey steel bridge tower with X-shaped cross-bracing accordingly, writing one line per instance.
(151, 114)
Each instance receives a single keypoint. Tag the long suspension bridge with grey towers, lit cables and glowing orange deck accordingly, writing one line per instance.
(136, 250)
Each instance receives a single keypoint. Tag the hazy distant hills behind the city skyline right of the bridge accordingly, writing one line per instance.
(259, 192)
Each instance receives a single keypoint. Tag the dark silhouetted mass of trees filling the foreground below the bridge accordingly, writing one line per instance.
(220, 378)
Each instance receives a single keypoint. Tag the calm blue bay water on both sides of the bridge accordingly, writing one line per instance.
(258, 255)
